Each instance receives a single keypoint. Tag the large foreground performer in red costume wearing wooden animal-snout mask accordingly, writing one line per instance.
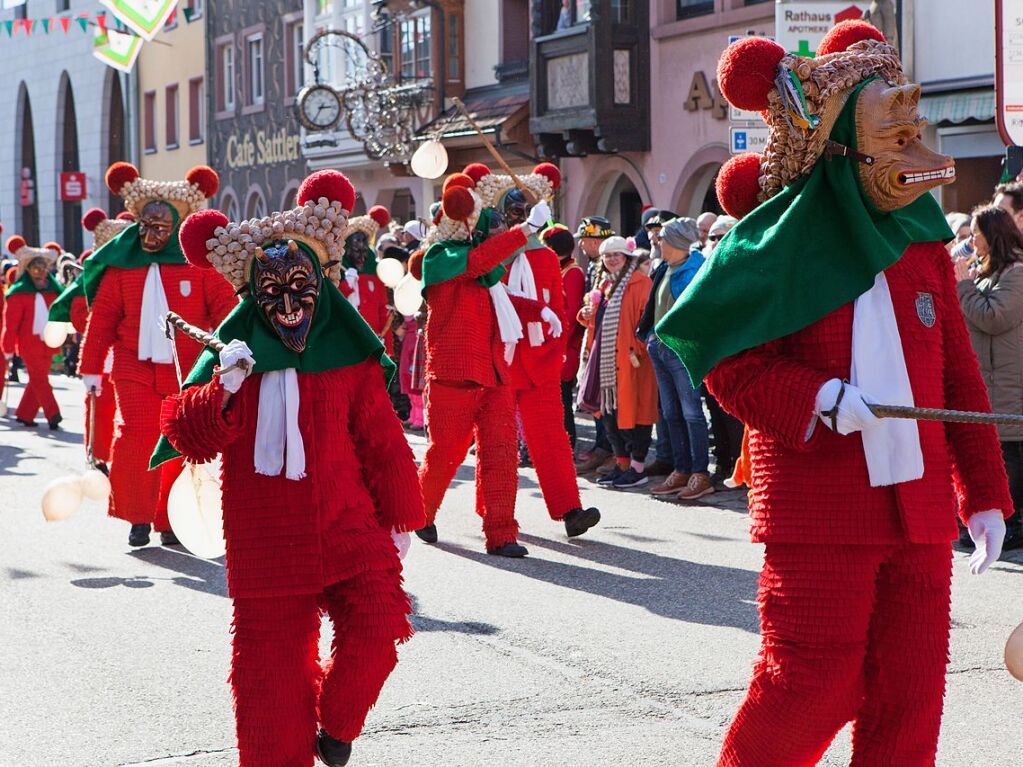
(834, 292)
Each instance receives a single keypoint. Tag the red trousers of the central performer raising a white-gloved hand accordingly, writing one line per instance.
(456, 415)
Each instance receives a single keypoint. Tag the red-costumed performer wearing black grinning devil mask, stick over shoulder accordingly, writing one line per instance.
(319, 481)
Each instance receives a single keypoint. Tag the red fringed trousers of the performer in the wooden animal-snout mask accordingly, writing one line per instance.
(851, 634)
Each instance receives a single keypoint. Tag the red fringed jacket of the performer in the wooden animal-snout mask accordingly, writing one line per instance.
(817, 490)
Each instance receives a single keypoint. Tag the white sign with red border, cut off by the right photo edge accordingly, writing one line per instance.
(1009, 70)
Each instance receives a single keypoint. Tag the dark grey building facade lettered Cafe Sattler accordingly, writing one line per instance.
(253, 138)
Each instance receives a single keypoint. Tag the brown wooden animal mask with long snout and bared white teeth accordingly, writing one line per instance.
(888, 127)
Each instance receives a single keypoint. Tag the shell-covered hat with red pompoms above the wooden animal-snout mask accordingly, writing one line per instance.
(800, 100)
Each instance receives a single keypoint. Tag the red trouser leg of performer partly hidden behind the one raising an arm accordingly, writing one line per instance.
(543, 425)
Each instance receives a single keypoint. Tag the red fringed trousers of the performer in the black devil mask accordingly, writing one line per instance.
(281, 692)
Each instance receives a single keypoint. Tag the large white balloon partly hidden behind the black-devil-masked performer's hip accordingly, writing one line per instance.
(195, 510)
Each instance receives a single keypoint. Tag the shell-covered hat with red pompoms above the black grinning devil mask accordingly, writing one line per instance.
(325, 202)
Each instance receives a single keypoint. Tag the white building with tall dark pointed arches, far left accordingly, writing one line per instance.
(67, 114)
